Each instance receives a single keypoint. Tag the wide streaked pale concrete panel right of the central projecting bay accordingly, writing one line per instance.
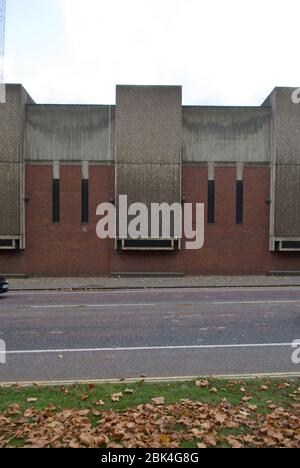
(226, 134)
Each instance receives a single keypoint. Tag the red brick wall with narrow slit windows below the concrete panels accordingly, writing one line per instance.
(70, 248)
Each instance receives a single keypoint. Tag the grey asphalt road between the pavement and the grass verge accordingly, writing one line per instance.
(64, 336)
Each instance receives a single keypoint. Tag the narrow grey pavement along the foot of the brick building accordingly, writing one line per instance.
(108, 283)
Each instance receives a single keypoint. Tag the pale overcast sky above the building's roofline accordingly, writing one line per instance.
(226, 52)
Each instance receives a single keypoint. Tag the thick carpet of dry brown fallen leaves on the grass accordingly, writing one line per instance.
(152, 426)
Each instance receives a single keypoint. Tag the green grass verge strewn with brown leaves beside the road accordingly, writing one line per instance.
(206, 413)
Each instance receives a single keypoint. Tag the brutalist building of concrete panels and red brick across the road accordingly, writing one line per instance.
(58, 162)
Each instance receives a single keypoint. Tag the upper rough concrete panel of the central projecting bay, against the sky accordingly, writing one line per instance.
(149, 122)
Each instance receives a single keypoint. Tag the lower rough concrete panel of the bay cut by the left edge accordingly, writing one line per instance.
(10, 200)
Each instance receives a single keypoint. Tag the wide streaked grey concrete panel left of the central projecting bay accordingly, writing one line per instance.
(70, 133)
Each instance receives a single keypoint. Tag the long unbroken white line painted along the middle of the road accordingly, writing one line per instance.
(150, 348)
